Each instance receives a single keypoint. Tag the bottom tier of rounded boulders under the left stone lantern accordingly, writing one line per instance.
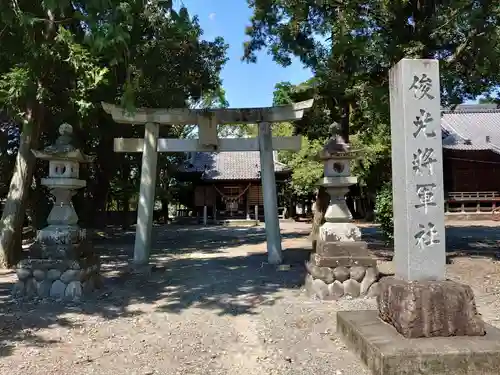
(57, 279)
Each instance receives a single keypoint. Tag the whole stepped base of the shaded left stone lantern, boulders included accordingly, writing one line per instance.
(62, 265)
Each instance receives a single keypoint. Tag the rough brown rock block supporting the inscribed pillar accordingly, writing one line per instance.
(429, 308)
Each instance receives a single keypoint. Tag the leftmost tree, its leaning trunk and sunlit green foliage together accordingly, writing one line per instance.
(38, 49)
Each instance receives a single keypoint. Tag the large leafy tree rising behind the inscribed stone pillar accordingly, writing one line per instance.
(351, 45)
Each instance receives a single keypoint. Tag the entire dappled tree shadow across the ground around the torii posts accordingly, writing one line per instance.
(228, 285)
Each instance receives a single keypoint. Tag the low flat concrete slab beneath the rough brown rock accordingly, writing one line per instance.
(385, 352)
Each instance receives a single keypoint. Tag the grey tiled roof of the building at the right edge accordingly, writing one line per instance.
(472, 127)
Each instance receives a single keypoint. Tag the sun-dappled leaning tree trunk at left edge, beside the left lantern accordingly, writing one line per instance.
(13, 214)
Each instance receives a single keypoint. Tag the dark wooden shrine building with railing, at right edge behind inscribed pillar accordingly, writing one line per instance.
(471, 155)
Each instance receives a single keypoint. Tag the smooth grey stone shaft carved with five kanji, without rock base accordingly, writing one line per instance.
(417, 170)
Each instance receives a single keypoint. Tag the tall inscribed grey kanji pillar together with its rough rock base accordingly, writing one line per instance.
(419, 301)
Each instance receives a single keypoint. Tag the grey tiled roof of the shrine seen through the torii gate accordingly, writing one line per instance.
(228, 165)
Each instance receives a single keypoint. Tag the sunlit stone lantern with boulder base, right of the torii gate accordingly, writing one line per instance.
(341, 264)
